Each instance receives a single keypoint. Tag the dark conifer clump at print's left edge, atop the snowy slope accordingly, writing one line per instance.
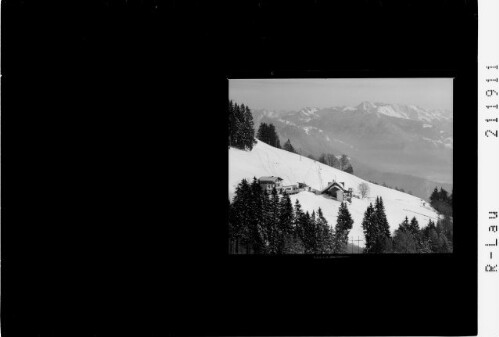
(241, 128)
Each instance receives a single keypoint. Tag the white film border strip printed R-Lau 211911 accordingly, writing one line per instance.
(488, 168)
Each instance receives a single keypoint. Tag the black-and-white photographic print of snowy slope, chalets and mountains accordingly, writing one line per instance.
(340, 166)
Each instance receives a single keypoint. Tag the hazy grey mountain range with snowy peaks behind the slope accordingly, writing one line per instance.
(401, 145)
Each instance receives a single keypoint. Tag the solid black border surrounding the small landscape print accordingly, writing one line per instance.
(109, 107)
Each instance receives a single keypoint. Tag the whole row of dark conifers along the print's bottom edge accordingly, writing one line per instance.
(267, 223)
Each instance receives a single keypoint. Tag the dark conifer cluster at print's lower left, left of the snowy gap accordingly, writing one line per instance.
(267, 223)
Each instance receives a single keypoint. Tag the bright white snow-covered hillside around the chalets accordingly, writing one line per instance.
(265, 160)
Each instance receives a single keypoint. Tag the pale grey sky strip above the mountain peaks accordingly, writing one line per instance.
(294, 94)
